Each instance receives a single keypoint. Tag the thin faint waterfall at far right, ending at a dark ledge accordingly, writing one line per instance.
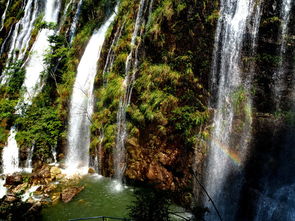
(280, 85)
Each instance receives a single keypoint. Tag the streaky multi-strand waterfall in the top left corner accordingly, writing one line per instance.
(21, 36)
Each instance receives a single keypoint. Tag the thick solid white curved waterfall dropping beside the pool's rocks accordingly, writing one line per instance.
(81, 107)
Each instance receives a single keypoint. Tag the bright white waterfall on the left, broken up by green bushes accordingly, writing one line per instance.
(32, 83)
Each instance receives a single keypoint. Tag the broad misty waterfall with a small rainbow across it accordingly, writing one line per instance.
(233, 112)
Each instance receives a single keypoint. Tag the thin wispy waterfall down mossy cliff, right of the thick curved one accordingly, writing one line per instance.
(130, 72)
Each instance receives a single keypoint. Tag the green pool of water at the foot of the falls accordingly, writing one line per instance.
(99, 198)
